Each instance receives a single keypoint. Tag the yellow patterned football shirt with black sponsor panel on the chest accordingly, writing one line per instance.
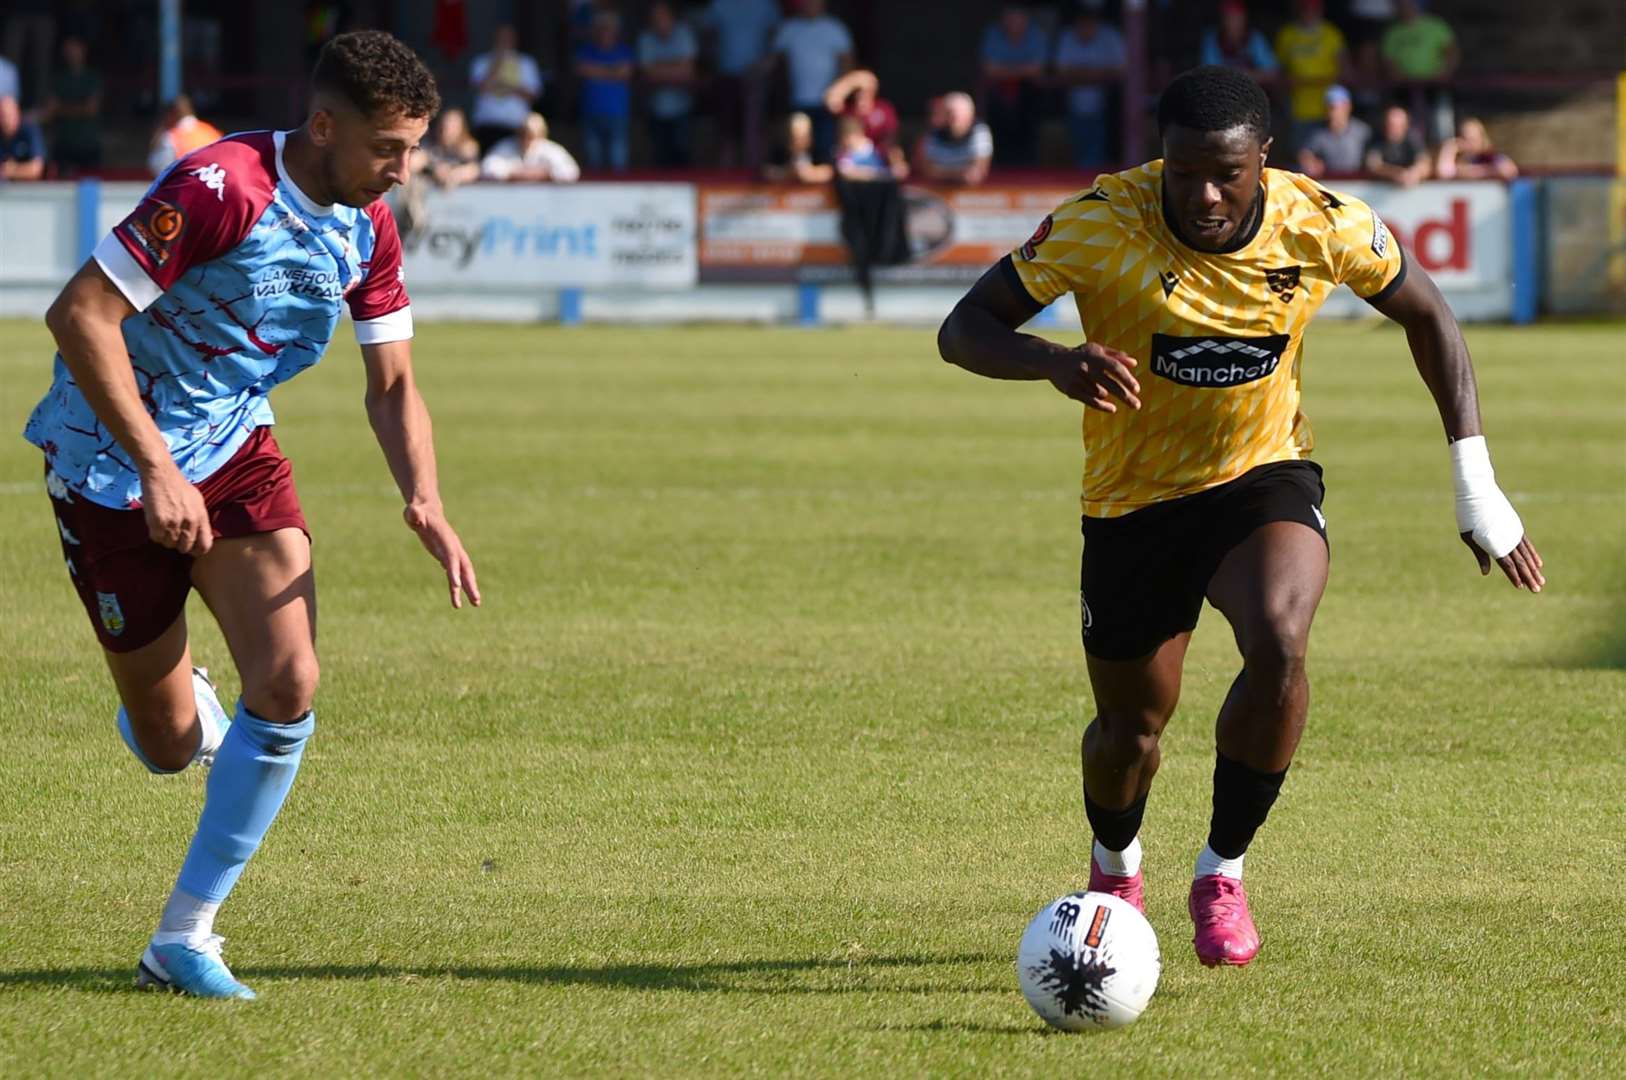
(1217, 336)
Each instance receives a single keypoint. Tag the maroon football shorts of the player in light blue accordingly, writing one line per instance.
(133, 588)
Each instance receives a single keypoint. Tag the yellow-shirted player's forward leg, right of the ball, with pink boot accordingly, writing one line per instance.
(1267, 588)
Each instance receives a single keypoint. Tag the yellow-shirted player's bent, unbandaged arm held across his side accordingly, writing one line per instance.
(983, 337)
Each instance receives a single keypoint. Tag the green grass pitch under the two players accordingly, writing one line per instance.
(763, 749)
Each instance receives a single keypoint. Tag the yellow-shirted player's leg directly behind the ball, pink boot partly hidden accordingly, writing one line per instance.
(1121, 756)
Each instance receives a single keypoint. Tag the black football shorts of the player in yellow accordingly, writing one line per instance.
(1144, 575)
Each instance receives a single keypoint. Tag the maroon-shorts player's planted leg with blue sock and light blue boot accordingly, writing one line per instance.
(263, 593)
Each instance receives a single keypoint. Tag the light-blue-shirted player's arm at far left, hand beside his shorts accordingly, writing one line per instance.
(87, 320)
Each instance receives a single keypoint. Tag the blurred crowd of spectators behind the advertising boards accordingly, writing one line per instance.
(1342, 92)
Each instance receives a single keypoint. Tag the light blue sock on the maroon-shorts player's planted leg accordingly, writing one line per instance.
(253, 772)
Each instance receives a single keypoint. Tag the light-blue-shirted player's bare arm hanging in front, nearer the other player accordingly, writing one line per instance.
(401, 422)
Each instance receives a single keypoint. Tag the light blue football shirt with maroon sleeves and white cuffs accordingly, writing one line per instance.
(238, 279)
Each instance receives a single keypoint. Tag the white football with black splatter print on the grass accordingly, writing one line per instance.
(1089, 962)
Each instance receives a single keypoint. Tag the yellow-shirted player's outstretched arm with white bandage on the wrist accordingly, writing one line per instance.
(1485, 520)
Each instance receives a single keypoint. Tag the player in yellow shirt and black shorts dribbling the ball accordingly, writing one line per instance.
(1196, 277)
